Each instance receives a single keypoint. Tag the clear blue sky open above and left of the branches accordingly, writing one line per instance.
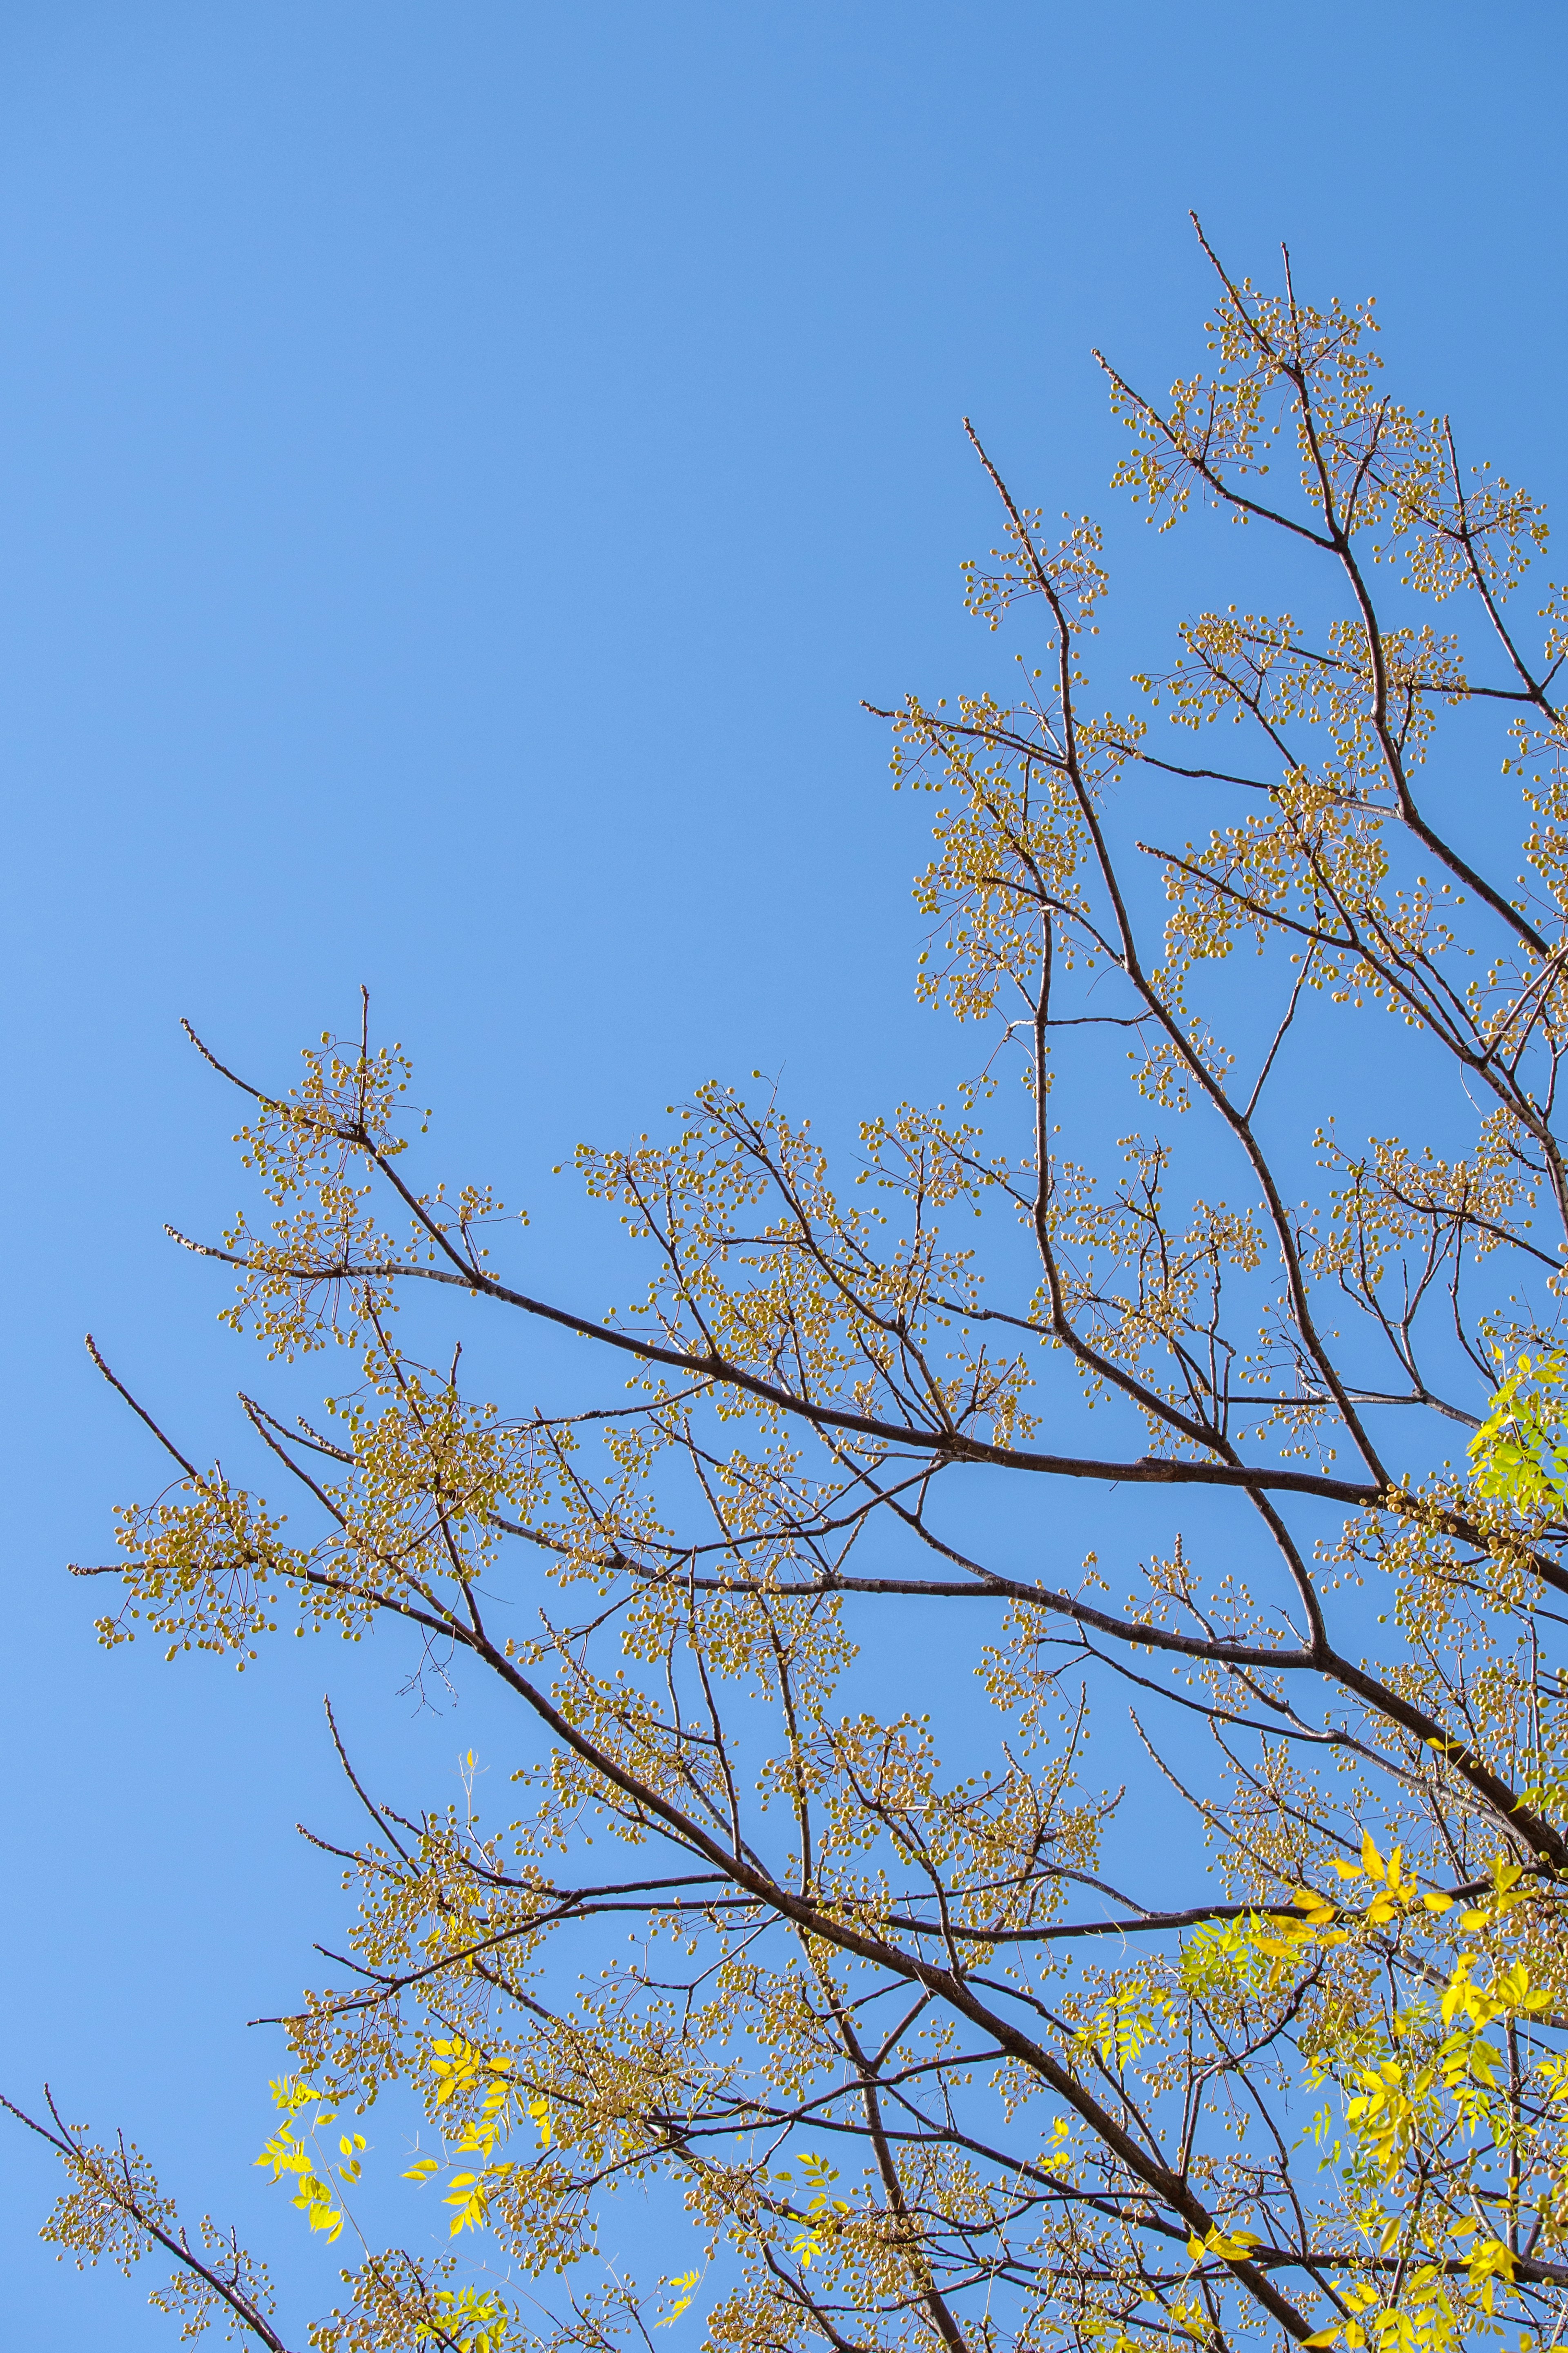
(460, 472)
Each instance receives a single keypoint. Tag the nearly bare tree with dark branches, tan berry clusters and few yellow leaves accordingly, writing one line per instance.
(920, 2051)
